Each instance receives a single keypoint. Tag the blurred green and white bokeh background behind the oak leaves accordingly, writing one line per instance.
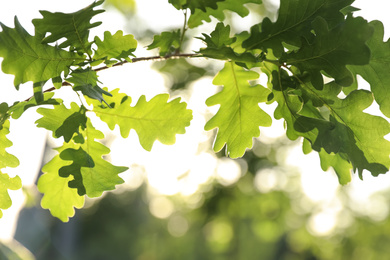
(184, 201)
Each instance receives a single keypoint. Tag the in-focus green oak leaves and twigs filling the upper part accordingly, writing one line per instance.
(311, 55)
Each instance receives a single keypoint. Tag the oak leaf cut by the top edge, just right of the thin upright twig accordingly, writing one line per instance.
(237, 6)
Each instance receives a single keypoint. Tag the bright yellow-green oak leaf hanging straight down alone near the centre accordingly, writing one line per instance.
(239, 116)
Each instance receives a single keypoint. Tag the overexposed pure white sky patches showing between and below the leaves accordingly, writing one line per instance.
(29, 141)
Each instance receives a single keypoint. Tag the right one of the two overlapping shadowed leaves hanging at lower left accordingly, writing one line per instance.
(92, 174)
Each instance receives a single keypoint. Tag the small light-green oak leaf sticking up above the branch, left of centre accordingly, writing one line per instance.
(117, 46)
